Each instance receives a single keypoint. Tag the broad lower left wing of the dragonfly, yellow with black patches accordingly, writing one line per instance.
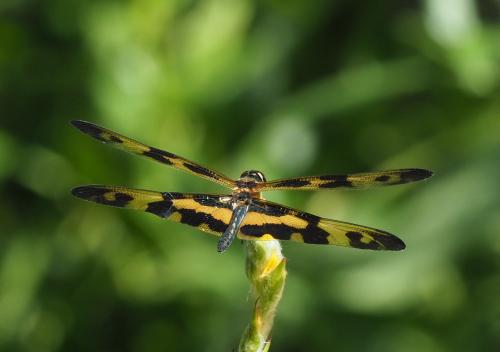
(209, 213)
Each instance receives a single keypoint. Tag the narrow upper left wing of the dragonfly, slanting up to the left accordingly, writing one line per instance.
(129, 145)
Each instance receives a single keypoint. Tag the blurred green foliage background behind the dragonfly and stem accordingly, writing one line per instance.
(287, 87)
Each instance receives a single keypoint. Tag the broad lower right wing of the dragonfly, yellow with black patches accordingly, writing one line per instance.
(266, 220)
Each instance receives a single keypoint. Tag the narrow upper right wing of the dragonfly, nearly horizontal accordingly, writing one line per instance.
(348, 181)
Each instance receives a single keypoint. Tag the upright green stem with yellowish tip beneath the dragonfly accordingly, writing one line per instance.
(266, 271)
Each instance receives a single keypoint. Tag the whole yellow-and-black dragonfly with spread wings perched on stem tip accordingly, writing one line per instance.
(244, 213)
